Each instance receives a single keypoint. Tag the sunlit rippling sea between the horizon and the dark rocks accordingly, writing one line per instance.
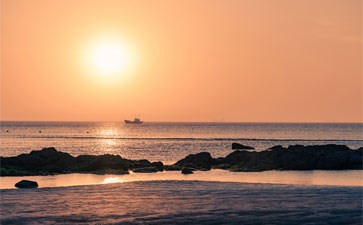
(168, 142)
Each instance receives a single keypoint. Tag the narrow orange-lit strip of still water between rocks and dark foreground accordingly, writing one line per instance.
(309, 178)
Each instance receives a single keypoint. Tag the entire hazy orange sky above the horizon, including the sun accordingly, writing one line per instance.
(192, 60)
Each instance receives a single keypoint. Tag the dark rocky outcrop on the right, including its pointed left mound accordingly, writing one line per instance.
(295, 157)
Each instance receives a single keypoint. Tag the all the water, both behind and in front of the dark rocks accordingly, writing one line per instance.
(169, 197)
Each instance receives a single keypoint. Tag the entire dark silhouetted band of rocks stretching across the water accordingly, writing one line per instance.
(49, 161)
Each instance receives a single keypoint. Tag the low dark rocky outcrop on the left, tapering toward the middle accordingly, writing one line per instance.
(50, 161)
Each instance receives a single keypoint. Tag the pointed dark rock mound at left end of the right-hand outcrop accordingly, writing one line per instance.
(199, 161)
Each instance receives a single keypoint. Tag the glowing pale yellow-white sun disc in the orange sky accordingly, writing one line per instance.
(107, 58)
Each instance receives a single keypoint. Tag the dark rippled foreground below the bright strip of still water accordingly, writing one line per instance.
(183, 202)
